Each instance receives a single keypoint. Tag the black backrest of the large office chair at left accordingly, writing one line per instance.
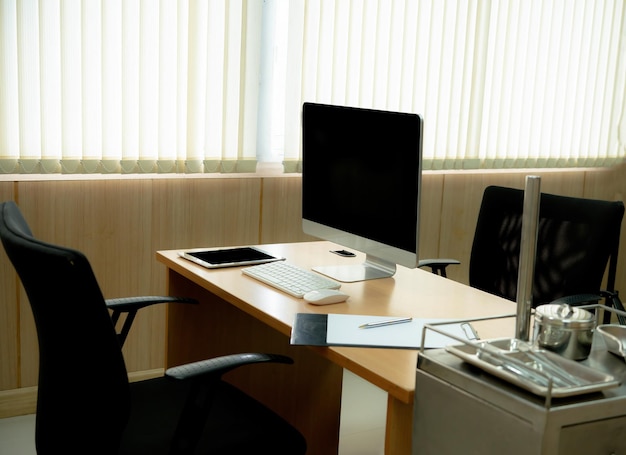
(83, 391)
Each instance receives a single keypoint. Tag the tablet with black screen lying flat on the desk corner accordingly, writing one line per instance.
(229, 257)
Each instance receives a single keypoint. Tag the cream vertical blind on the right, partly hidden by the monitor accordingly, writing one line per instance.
(500, 84)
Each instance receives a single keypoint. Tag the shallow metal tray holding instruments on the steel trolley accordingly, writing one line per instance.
(541, 372)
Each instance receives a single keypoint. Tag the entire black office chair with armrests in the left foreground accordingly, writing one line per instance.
(85, 402)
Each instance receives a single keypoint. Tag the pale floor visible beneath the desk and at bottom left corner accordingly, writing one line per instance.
(362, 423)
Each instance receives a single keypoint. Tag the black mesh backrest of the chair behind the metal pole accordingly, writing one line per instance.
(576, 240)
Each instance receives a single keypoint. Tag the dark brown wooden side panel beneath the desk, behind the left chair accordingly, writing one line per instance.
(307, 394)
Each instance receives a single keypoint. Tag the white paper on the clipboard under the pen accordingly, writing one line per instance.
(343, 330)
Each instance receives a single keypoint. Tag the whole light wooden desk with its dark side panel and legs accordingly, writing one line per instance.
(240, 314)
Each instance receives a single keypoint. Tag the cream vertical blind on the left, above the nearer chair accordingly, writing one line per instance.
(130, 86)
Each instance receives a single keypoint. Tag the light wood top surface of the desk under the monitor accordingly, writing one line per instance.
(410, 292)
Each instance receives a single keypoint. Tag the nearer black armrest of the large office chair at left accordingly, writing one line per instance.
(217, 366)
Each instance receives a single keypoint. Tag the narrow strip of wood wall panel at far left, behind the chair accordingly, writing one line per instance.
(9, 312)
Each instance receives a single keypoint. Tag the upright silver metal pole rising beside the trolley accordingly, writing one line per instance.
(528, 251)
